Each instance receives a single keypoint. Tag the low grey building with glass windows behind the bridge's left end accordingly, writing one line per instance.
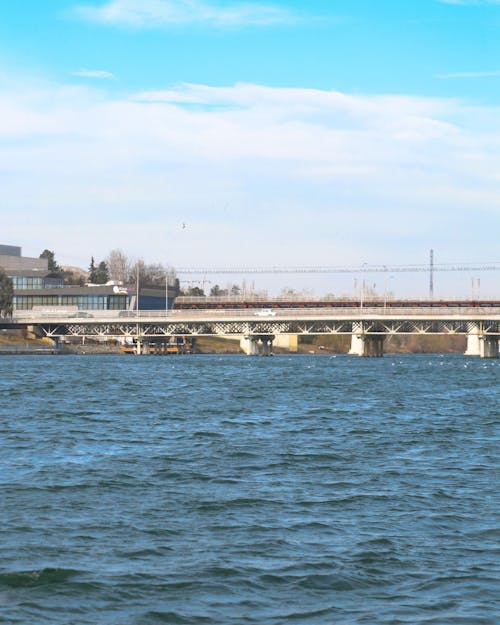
(34, 286)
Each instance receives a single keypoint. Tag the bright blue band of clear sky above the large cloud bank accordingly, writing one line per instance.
(429, 47)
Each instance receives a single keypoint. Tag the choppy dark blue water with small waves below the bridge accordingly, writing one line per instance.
(233, 490)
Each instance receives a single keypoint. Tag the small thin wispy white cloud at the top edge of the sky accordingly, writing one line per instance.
(161, 13)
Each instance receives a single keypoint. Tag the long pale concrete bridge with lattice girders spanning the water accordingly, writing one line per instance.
(258, 329)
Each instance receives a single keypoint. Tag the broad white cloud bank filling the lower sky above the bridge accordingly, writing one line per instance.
(261, 175)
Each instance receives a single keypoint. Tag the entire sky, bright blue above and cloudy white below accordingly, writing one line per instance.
(281, 132)
